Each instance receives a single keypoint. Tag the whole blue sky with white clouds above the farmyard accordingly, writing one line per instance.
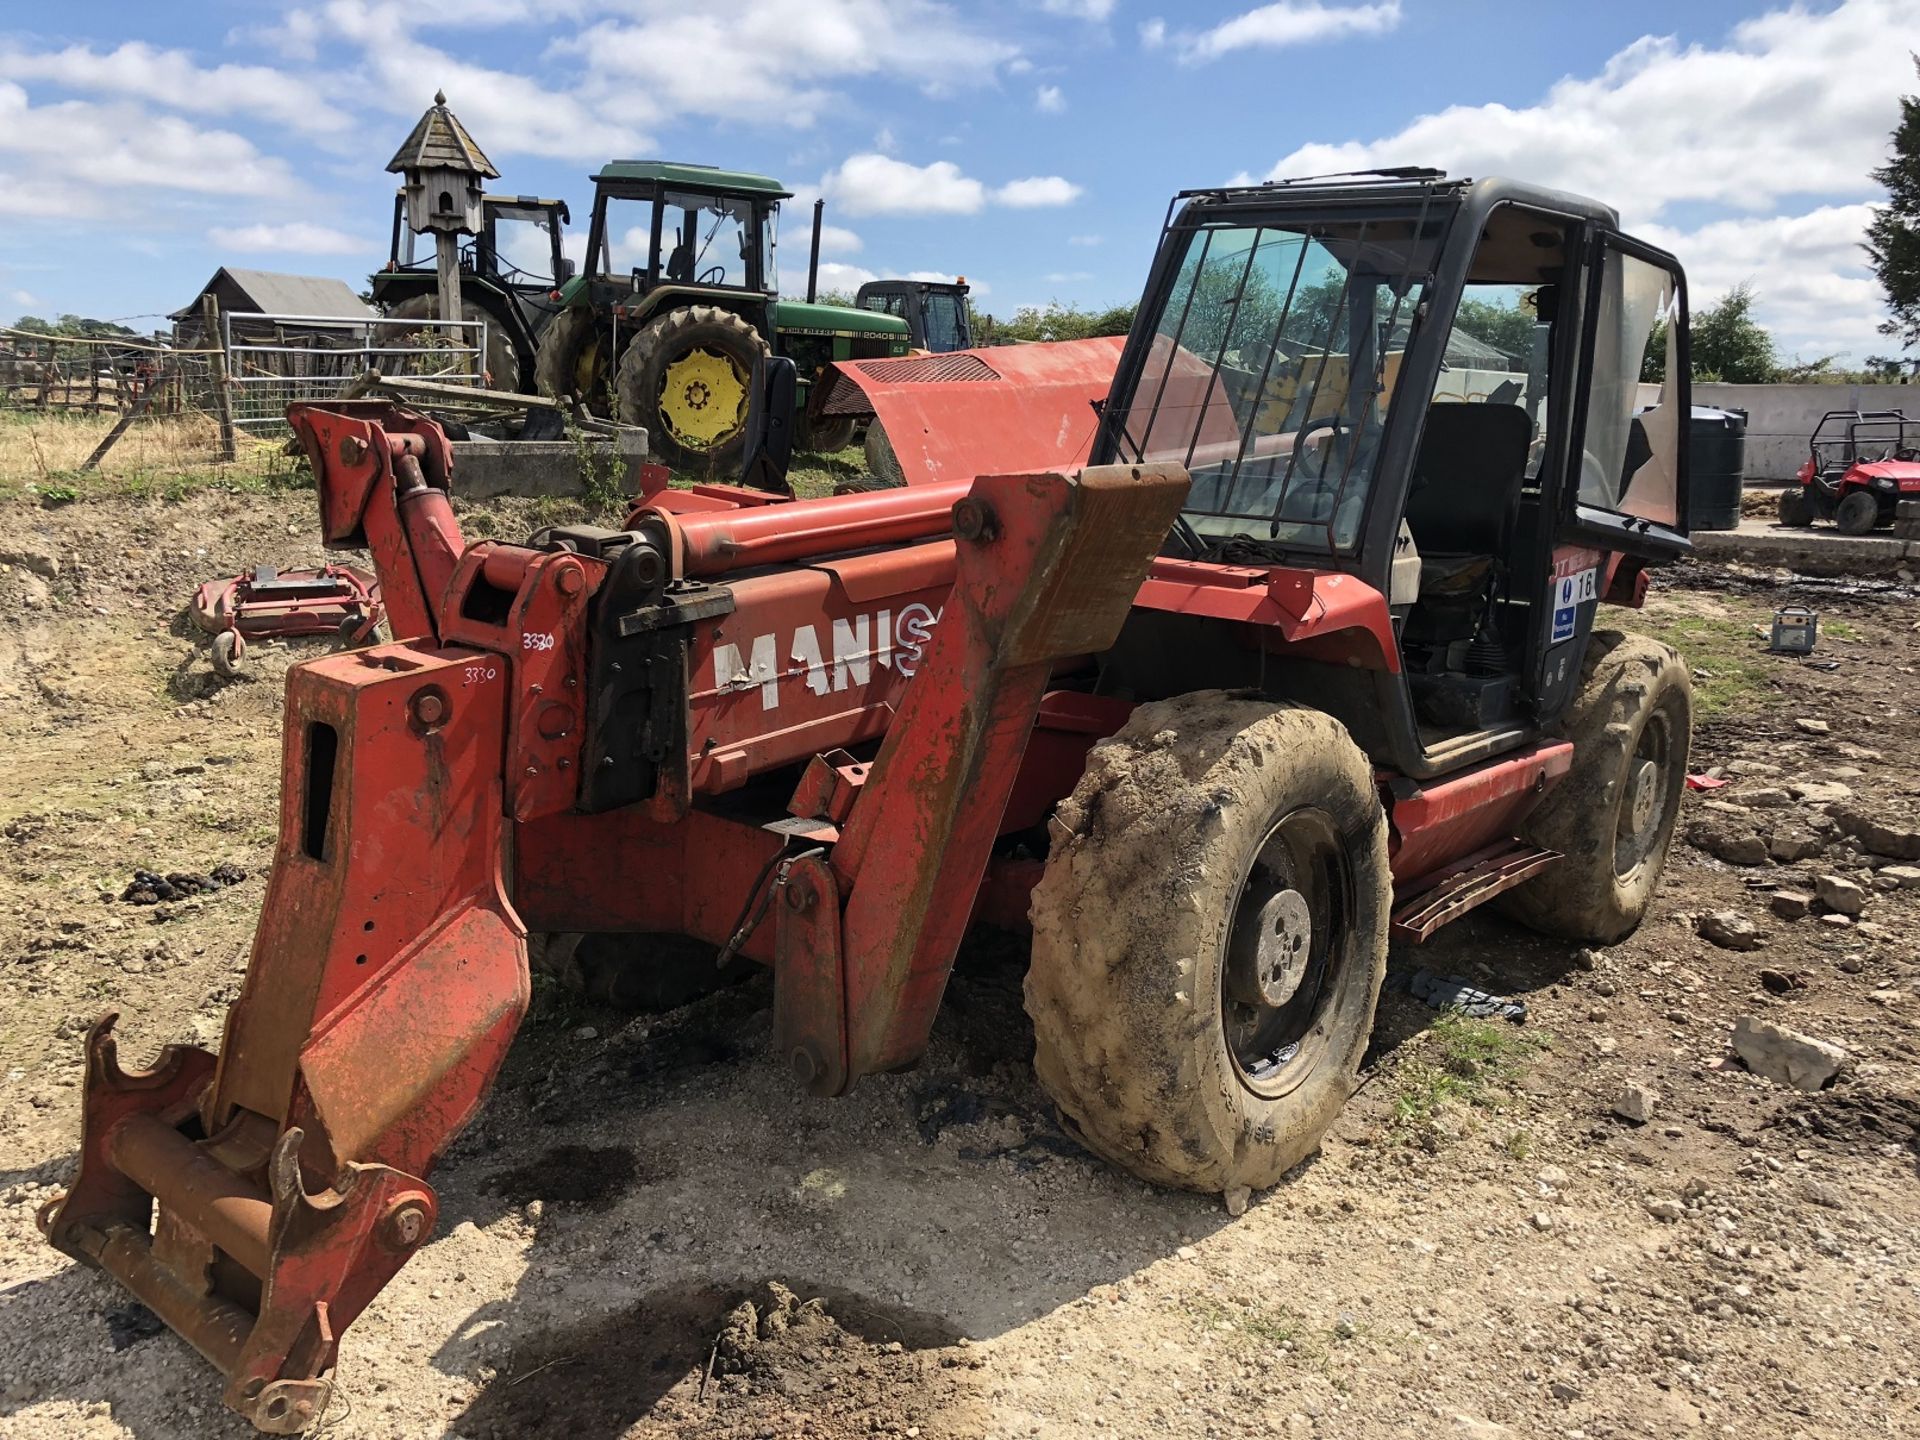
(1030, 145)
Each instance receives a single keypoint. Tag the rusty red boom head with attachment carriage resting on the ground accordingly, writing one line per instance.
(258, 1201)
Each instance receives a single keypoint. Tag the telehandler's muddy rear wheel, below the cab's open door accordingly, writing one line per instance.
(1614, 815)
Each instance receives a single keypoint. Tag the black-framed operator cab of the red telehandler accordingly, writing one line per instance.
(1414, 391)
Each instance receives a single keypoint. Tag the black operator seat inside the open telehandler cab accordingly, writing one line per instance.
(1466, 491)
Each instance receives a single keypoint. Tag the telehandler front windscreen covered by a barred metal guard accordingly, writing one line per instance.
(1272, 372)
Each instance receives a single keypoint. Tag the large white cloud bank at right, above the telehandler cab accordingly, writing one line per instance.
(1792, 107)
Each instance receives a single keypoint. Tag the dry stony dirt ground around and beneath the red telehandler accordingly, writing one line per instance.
(1483, 1249)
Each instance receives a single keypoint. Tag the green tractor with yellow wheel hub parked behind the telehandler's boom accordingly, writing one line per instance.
(679, 300)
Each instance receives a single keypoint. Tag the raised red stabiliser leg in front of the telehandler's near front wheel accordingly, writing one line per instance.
(1047, 567)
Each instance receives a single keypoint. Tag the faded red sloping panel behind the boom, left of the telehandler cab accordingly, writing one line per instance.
(982, 412)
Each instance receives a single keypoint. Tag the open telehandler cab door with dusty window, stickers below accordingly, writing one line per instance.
(1625, 487)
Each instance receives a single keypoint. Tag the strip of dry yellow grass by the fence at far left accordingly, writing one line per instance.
(41, 456)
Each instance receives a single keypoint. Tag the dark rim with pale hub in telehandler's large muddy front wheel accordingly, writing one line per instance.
(1287, 951)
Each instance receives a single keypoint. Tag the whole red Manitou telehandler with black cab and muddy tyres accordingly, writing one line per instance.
(1305, 660)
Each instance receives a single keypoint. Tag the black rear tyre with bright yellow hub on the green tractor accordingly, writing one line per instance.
(686, 377)
